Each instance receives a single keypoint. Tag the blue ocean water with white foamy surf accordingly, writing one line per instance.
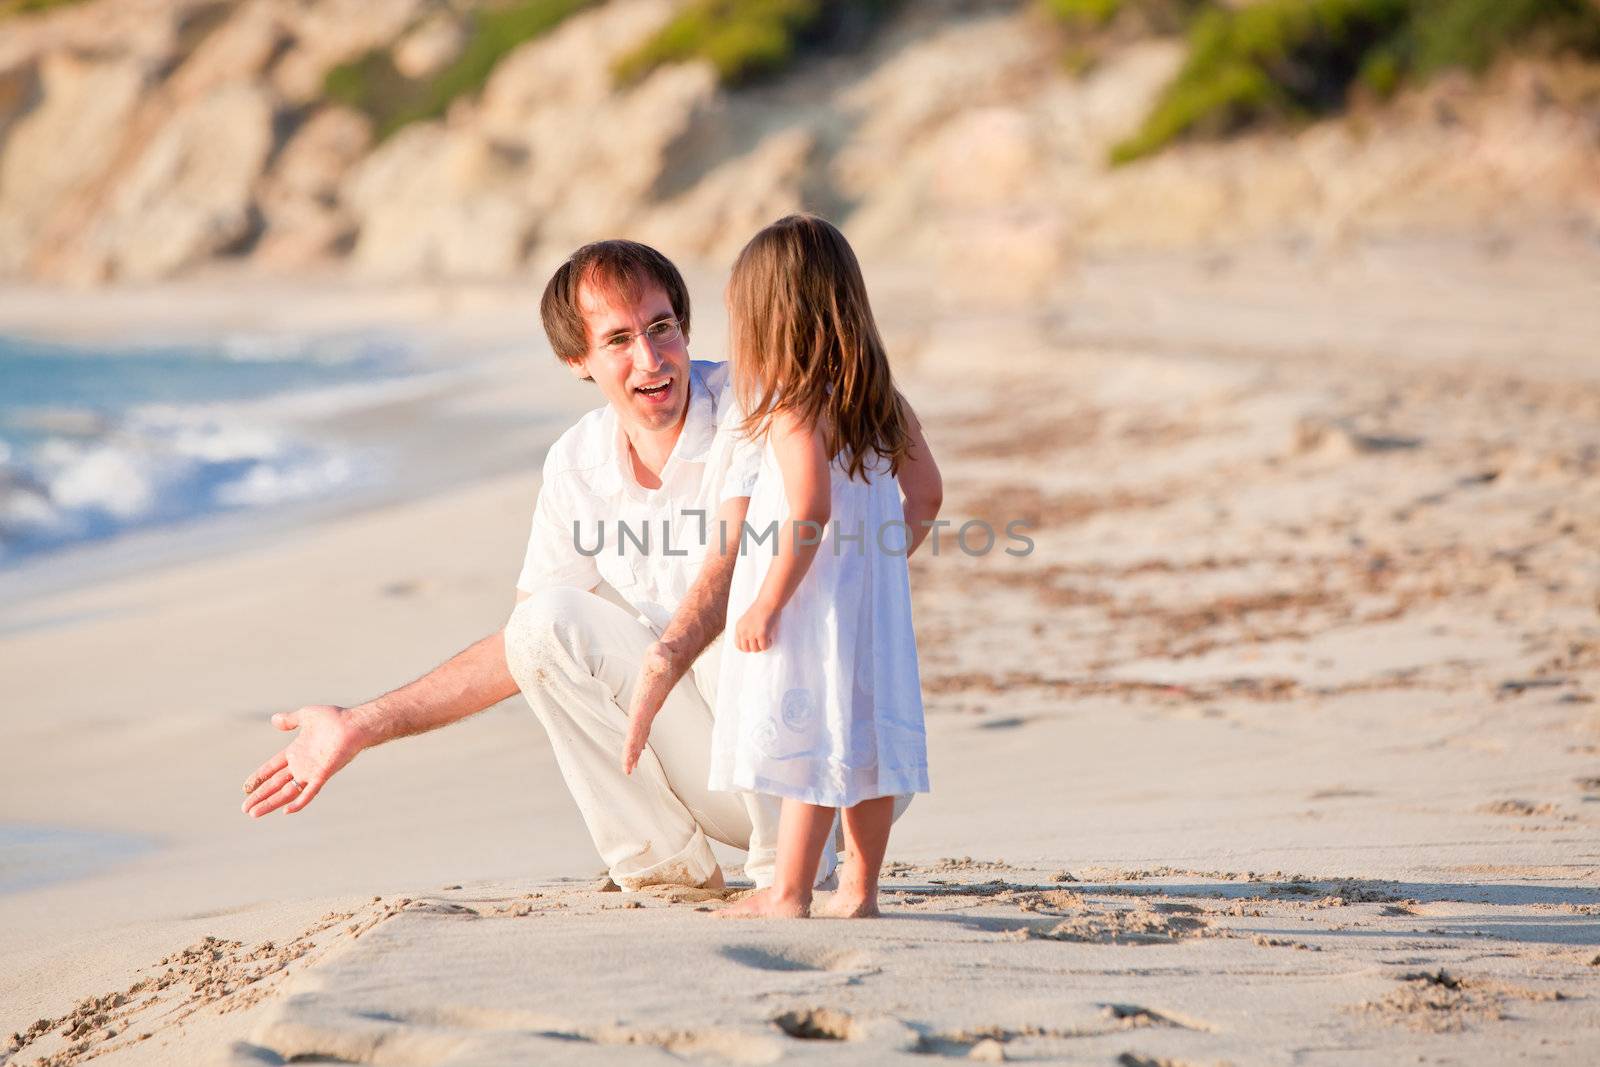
(97, 442)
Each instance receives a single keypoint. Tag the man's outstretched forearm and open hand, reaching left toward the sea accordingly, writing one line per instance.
(332, 737)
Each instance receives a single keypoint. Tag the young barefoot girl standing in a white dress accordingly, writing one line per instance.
(820, 700)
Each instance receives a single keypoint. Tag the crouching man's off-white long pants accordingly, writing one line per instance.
(577, 657)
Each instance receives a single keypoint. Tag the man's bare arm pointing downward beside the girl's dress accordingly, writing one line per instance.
(690, 633)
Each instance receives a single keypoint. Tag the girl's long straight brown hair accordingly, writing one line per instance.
(801, 324)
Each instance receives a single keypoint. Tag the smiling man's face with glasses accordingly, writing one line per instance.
(644, 380)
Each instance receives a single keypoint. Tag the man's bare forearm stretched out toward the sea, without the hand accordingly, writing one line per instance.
(463, 685)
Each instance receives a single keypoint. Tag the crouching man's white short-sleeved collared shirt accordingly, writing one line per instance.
(593, 514)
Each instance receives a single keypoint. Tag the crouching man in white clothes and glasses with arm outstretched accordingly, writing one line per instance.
(631, 497)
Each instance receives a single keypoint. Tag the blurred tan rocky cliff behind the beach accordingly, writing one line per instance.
(148, 138)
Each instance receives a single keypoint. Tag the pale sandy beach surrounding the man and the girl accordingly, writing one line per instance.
(1281, 746)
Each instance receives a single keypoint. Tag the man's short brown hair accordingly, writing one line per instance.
(617, 266)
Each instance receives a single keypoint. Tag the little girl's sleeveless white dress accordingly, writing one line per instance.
(831, 713)
